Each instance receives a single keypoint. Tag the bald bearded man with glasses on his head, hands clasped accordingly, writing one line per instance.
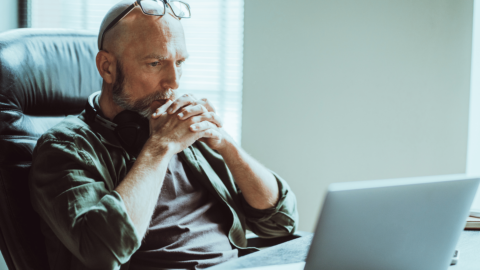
(184, 199)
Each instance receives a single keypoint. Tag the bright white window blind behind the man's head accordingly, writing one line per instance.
(214, 37)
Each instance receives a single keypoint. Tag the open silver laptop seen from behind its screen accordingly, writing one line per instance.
(404, 224)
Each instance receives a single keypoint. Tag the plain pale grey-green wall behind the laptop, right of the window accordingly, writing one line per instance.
(353, 90)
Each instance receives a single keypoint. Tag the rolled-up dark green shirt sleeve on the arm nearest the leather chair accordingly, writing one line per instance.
(69, 193)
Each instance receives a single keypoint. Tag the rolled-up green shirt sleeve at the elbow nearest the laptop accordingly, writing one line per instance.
(277, 221)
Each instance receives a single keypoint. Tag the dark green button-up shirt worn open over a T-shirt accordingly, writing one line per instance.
(76, 167)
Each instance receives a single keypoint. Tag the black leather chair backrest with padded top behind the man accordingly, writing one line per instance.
(45, 75)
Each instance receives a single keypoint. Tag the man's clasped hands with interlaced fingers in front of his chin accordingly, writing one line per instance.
(178, 124)
